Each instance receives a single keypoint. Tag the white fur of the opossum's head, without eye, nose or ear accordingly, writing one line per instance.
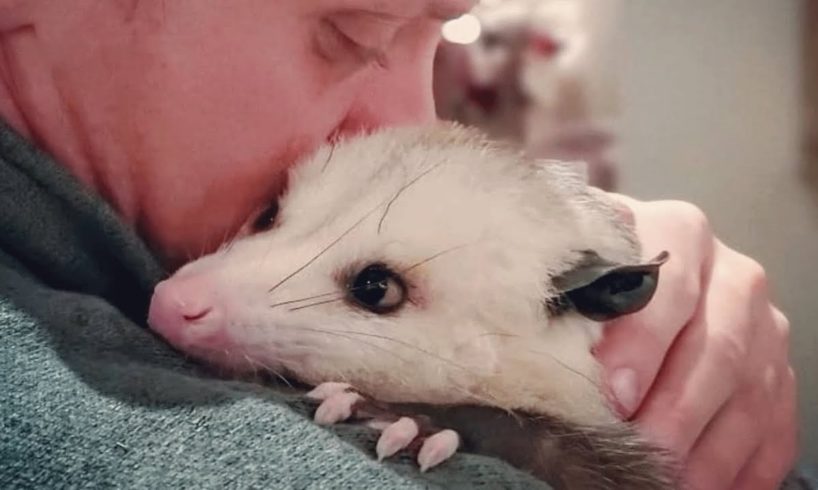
(475, 230)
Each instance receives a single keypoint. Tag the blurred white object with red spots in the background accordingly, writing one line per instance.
(540, 73)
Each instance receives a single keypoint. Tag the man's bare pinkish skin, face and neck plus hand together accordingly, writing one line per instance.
(184, 116)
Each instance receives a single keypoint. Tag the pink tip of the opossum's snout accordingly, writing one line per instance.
(185, 311)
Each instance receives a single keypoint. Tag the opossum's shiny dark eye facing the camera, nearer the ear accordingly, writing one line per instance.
(378, 289)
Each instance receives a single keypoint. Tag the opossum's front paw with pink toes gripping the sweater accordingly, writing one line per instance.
(339, 402)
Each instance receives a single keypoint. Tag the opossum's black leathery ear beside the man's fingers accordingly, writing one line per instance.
(602, 290)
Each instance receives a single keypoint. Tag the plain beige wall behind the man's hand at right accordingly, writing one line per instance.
(711, 100)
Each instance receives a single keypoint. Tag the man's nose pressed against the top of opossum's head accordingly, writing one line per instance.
(395, 96)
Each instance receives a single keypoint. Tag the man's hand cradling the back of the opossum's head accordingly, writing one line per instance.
(704, 369)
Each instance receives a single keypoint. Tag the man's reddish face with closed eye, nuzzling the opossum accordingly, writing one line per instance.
(210, 101)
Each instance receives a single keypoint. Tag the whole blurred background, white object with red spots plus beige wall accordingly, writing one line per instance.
(711, 102)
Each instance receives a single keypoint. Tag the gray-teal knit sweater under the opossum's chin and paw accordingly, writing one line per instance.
(92, 399)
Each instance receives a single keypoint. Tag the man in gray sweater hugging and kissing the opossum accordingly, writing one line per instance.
(183, 116)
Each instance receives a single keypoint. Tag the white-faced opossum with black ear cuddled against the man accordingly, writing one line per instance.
(443, 276)
